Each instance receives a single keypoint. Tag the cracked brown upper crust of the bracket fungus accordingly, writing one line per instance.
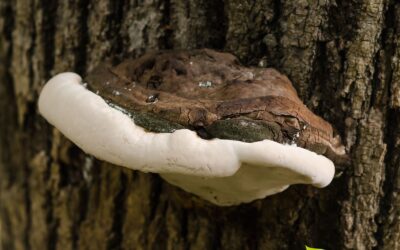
(212, 93)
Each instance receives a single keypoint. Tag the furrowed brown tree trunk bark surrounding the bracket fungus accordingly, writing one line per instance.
(343, 57)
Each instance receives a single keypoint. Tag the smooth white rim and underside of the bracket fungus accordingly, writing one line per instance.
(224, 172)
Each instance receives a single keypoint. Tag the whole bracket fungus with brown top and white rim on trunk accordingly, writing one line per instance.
(227, 133)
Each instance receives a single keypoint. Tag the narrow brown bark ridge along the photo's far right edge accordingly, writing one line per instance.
(388, 234)
